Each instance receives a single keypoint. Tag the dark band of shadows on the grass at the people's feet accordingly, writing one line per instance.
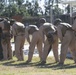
(54, 66)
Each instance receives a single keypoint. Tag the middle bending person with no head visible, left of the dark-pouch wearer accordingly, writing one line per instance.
(36, 40)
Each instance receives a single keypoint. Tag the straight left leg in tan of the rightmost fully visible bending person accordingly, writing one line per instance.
(64, 47)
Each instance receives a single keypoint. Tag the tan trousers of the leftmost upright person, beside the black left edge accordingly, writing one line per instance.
(7, 51)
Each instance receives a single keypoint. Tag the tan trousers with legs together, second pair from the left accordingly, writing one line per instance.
(19, 43)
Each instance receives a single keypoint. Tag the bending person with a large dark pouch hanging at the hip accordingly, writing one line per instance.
(51, 40)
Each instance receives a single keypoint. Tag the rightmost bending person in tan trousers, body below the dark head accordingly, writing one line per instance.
(67, 38)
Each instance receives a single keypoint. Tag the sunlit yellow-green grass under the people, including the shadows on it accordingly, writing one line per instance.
(13, 67)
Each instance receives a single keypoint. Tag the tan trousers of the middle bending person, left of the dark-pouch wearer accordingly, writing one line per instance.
(36, 41)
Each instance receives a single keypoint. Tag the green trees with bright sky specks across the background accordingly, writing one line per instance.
(18, 7)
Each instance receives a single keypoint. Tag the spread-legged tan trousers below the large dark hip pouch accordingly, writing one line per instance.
(54, 47)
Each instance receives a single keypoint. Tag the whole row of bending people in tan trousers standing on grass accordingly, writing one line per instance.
(47, 34)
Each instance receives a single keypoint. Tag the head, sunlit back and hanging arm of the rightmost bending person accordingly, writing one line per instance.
(61, 28)
